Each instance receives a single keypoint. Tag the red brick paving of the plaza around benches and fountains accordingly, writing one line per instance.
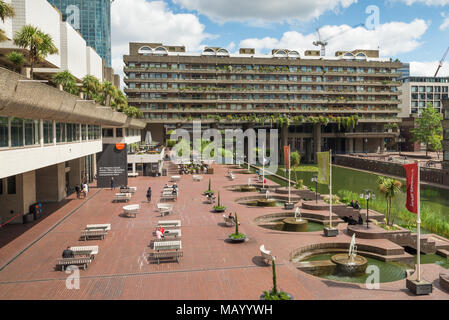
(210, 269)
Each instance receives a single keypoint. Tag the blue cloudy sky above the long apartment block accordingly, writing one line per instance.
(415, 31)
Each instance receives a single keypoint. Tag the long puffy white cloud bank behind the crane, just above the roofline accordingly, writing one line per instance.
(393, 38)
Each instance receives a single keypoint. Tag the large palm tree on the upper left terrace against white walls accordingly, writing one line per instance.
(38, 44)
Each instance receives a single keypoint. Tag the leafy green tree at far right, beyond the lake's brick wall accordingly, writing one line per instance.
(429, 128)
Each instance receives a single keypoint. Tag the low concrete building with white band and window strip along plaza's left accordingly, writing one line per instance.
(48, 145)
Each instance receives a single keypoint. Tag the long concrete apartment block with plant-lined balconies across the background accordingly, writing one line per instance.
(172, 87)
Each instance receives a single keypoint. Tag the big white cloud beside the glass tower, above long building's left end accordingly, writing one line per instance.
(141, 20)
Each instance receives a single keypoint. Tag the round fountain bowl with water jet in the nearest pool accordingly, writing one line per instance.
(351, 263)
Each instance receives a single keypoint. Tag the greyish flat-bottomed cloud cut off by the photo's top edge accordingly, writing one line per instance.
(261, 11)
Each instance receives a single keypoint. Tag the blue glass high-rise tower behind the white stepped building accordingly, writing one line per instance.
(92, 18)
